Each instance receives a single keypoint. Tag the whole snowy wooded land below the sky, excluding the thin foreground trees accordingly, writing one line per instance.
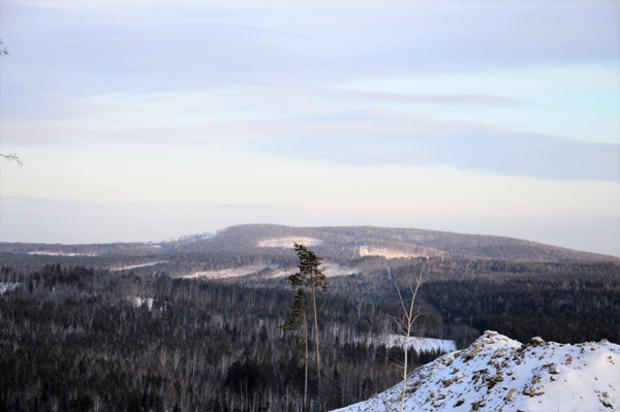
(195, 323)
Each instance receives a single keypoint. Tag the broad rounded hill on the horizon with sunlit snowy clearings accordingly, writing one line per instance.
(355, 241)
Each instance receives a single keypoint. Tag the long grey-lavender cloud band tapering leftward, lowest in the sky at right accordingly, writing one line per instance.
(373, 138)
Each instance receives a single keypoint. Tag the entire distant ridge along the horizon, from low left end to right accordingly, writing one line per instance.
(339, 242)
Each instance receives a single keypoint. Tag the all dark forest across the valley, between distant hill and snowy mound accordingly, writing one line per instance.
(78, 338)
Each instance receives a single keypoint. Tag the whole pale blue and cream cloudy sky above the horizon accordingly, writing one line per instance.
(148, 120)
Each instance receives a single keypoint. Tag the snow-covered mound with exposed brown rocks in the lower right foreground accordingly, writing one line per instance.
(497, 373)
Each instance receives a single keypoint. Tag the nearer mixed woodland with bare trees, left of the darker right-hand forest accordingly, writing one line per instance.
(76, 339)
